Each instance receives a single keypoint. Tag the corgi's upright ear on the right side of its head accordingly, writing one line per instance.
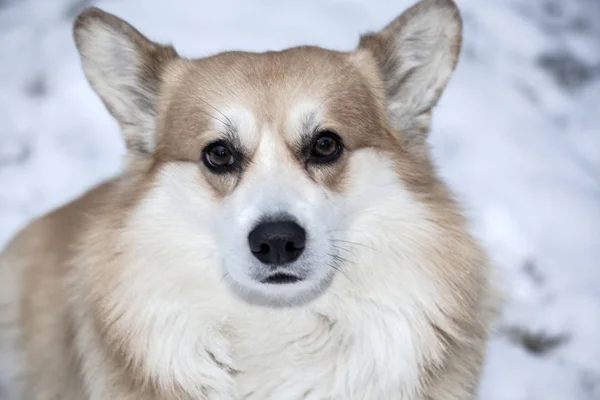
(416, 54)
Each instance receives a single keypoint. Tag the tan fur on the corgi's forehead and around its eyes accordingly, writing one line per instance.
(194, 95)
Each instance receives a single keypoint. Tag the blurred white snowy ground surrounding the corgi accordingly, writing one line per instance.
(517, 135)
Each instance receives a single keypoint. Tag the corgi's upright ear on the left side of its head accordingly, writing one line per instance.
(125, 69)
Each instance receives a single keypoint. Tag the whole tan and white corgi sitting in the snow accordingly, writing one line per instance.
(279, 231)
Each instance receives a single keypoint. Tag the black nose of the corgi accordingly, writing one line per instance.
(277, 243)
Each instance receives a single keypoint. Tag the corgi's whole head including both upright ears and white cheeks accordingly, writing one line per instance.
(271, 170)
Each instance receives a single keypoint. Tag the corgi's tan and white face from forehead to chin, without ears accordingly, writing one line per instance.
(269, 143)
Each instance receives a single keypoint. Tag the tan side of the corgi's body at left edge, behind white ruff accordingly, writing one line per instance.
(34, 262)
